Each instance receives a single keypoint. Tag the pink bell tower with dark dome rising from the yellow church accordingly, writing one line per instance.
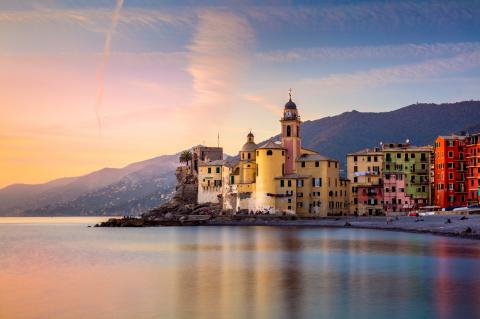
(291, 139)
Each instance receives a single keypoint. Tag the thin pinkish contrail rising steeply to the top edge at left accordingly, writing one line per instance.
(103, 66)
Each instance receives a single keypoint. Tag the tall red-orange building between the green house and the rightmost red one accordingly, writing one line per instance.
(450, 171)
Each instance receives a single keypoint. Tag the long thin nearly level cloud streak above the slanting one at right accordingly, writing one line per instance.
(423, 50)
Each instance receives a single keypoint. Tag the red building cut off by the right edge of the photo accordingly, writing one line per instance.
(472, 156)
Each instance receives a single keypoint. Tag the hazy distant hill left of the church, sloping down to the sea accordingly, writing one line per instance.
(107, 191)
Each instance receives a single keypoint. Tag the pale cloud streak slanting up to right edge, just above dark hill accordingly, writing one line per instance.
(397, 74)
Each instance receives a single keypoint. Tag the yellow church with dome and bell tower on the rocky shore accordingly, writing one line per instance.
(276, 177)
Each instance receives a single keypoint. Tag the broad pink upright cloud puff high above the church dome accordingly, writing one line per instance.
(219, 54)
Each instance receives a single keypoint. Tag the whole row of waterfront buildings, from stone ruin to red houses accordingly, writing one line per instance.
(285, 177)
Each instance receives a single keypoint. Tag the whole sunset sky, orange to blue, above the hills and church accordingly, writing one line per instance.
(90, 84)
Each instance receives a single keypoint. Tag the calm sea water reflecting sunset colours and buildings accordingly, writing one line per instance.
(59, 268)
